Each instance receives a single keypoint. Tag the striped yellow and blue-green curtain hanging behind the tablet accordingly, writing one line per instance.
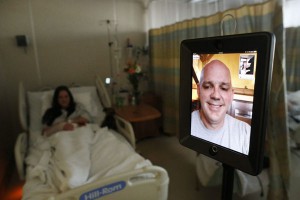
(164, 44)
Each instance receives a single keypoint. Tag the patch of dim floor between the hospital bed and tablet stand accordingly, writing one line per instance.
(165, 151)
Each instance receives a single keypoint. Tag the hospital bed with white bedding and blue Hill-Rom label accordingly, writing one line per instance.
(94, 163)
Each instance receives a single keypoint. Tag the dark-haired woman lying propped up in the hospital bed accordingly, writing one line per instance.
(65, 113)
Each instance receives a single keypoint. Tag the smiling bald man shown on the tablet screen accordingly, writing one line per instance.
(211, 122)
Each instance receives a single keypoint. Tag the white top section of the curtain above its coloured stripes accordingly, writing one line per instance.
(165, 12)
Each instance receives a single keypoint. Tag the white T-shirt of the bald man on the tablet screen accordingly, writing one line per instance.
(234, 134)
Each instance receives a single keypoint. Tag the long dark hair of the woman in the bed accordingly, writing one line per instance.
(55, 111)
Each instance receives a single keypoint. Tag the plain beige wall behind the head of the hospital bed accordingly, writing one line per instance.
(68, 43)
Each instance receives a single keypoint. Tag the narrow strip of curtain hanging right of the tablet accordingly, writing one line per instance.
(277, 127)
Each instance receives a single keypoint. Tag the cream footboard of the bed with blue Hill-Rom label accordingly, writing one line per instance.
(147, 183)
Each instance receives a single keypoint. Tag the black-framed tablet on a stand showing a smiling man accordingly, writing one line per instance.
(224, 88)
